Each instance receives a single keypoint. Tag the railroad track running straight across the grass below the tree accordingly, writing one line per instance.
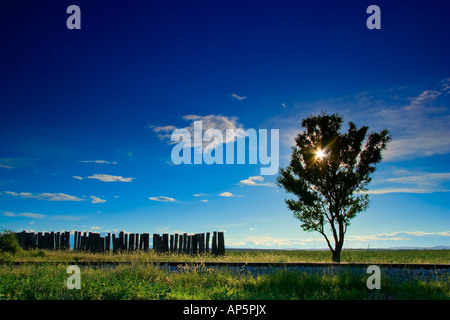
(427, 266)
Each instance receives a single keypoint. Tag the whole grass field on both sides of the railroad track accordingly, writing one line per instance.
(142, 281)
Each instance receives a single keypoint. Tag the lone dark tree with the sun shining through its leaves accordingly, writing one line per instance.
(329, 172)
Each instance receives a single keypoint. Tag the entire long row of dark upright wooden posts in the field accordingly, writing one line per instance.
(94, 242)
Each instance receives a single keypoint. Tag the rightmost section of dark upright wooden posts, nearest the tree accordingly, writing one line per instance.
(190, 244)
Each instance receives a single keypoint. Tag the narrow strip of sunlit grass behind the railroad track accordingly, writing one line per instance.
(361, 256)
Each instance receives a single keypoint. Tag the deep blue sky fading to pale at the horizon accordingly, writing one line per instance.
(71, 97)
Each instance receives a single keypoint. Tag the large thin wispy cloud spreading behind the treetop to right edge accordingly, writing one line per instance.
(418, 122)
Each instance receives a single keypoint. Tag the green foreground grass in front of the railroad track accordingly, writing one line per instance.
(141, 281)
